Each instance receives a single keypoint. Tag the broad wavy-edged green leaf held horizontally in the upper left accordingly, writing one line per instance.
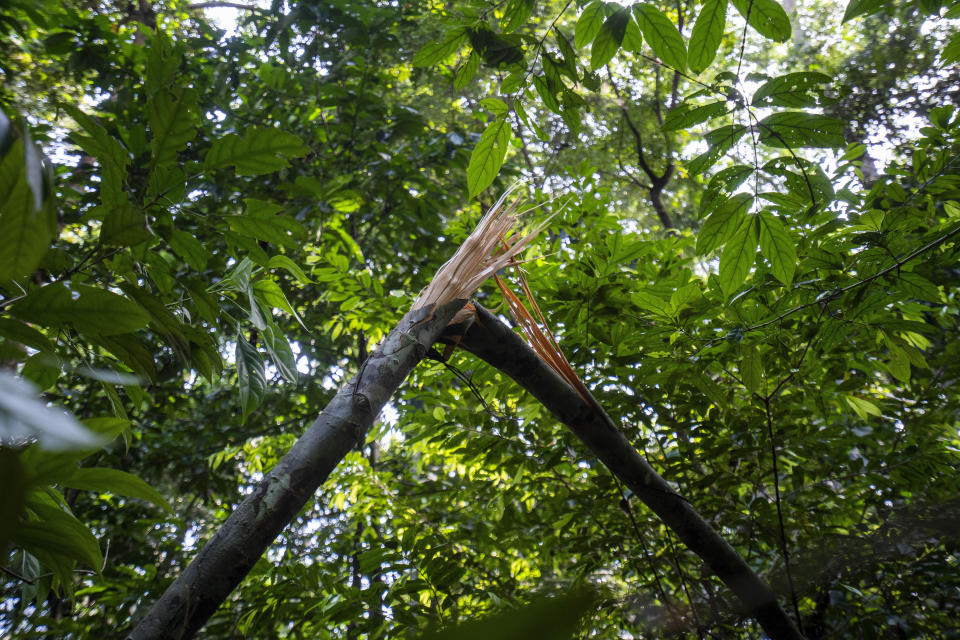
(260, 150)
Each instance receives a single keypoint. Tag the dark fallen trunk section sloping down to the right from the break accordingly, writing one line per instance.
(494, 342)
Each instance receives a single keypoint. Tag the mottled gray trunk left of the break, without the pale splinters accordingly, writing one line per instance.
(230, 554)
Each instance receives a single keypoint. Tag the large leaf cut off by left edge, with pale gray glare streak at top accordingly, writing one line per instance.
(28, 220)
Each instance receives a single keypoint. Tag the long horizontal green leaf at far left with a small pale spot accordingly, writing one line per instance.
(88, 309)
